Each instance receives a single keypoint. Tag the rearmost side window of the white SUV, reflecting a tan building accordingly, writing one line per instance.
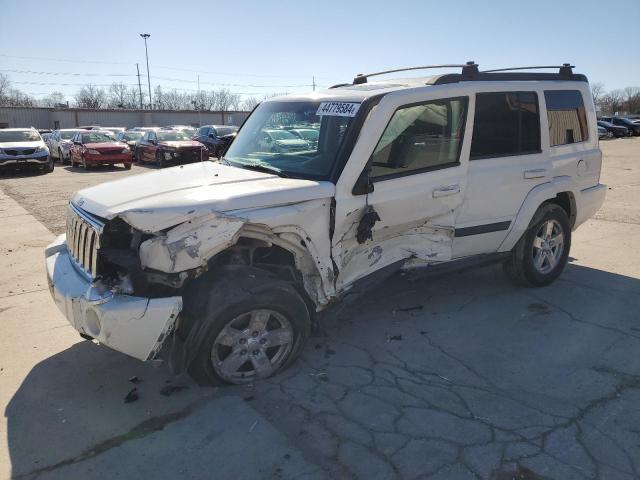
(567, 117)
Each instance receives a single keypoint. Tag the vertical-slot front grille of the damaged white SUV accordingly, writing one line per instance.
(83, 239)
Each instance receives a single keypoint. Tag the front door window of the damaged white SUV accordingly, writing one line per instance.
(420, 138)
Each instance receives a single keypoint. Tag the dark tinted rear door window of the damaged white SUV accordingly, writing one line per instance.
(505, 123)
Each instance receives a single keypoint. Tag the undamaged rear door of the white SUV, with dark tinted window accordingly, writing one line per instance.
(506, 161)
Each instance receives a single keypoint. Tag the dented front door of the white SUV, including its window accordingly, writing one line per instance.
(418, 182)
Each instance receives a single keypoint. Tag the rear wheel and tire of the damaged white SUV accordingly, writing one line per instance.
(541, 254)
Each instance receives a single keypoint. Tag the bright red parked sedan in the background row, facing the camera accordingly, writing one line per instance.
(97, 148)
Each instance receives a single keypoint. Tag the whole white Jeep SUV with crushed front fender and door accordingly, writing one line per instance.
(225, 264)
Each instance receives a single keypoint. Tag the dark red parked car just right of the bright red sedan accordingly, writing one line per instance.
(169, 146)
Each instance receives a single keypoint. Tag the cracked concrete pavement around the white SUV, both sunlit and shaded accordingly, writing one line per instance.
(457, 376)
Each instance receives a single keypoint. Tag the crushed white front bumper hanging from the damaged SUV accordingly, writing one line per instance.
(136, 326)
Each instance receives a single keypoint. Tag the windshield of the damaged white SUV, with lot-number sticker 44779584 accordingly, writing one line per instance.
(264, 142)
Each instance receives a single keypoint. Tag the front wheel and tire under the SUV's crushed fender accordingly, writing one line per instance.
(223, 317)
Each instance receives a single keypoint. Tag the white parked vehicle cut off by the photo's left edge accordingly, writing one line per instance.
(24, 147)
